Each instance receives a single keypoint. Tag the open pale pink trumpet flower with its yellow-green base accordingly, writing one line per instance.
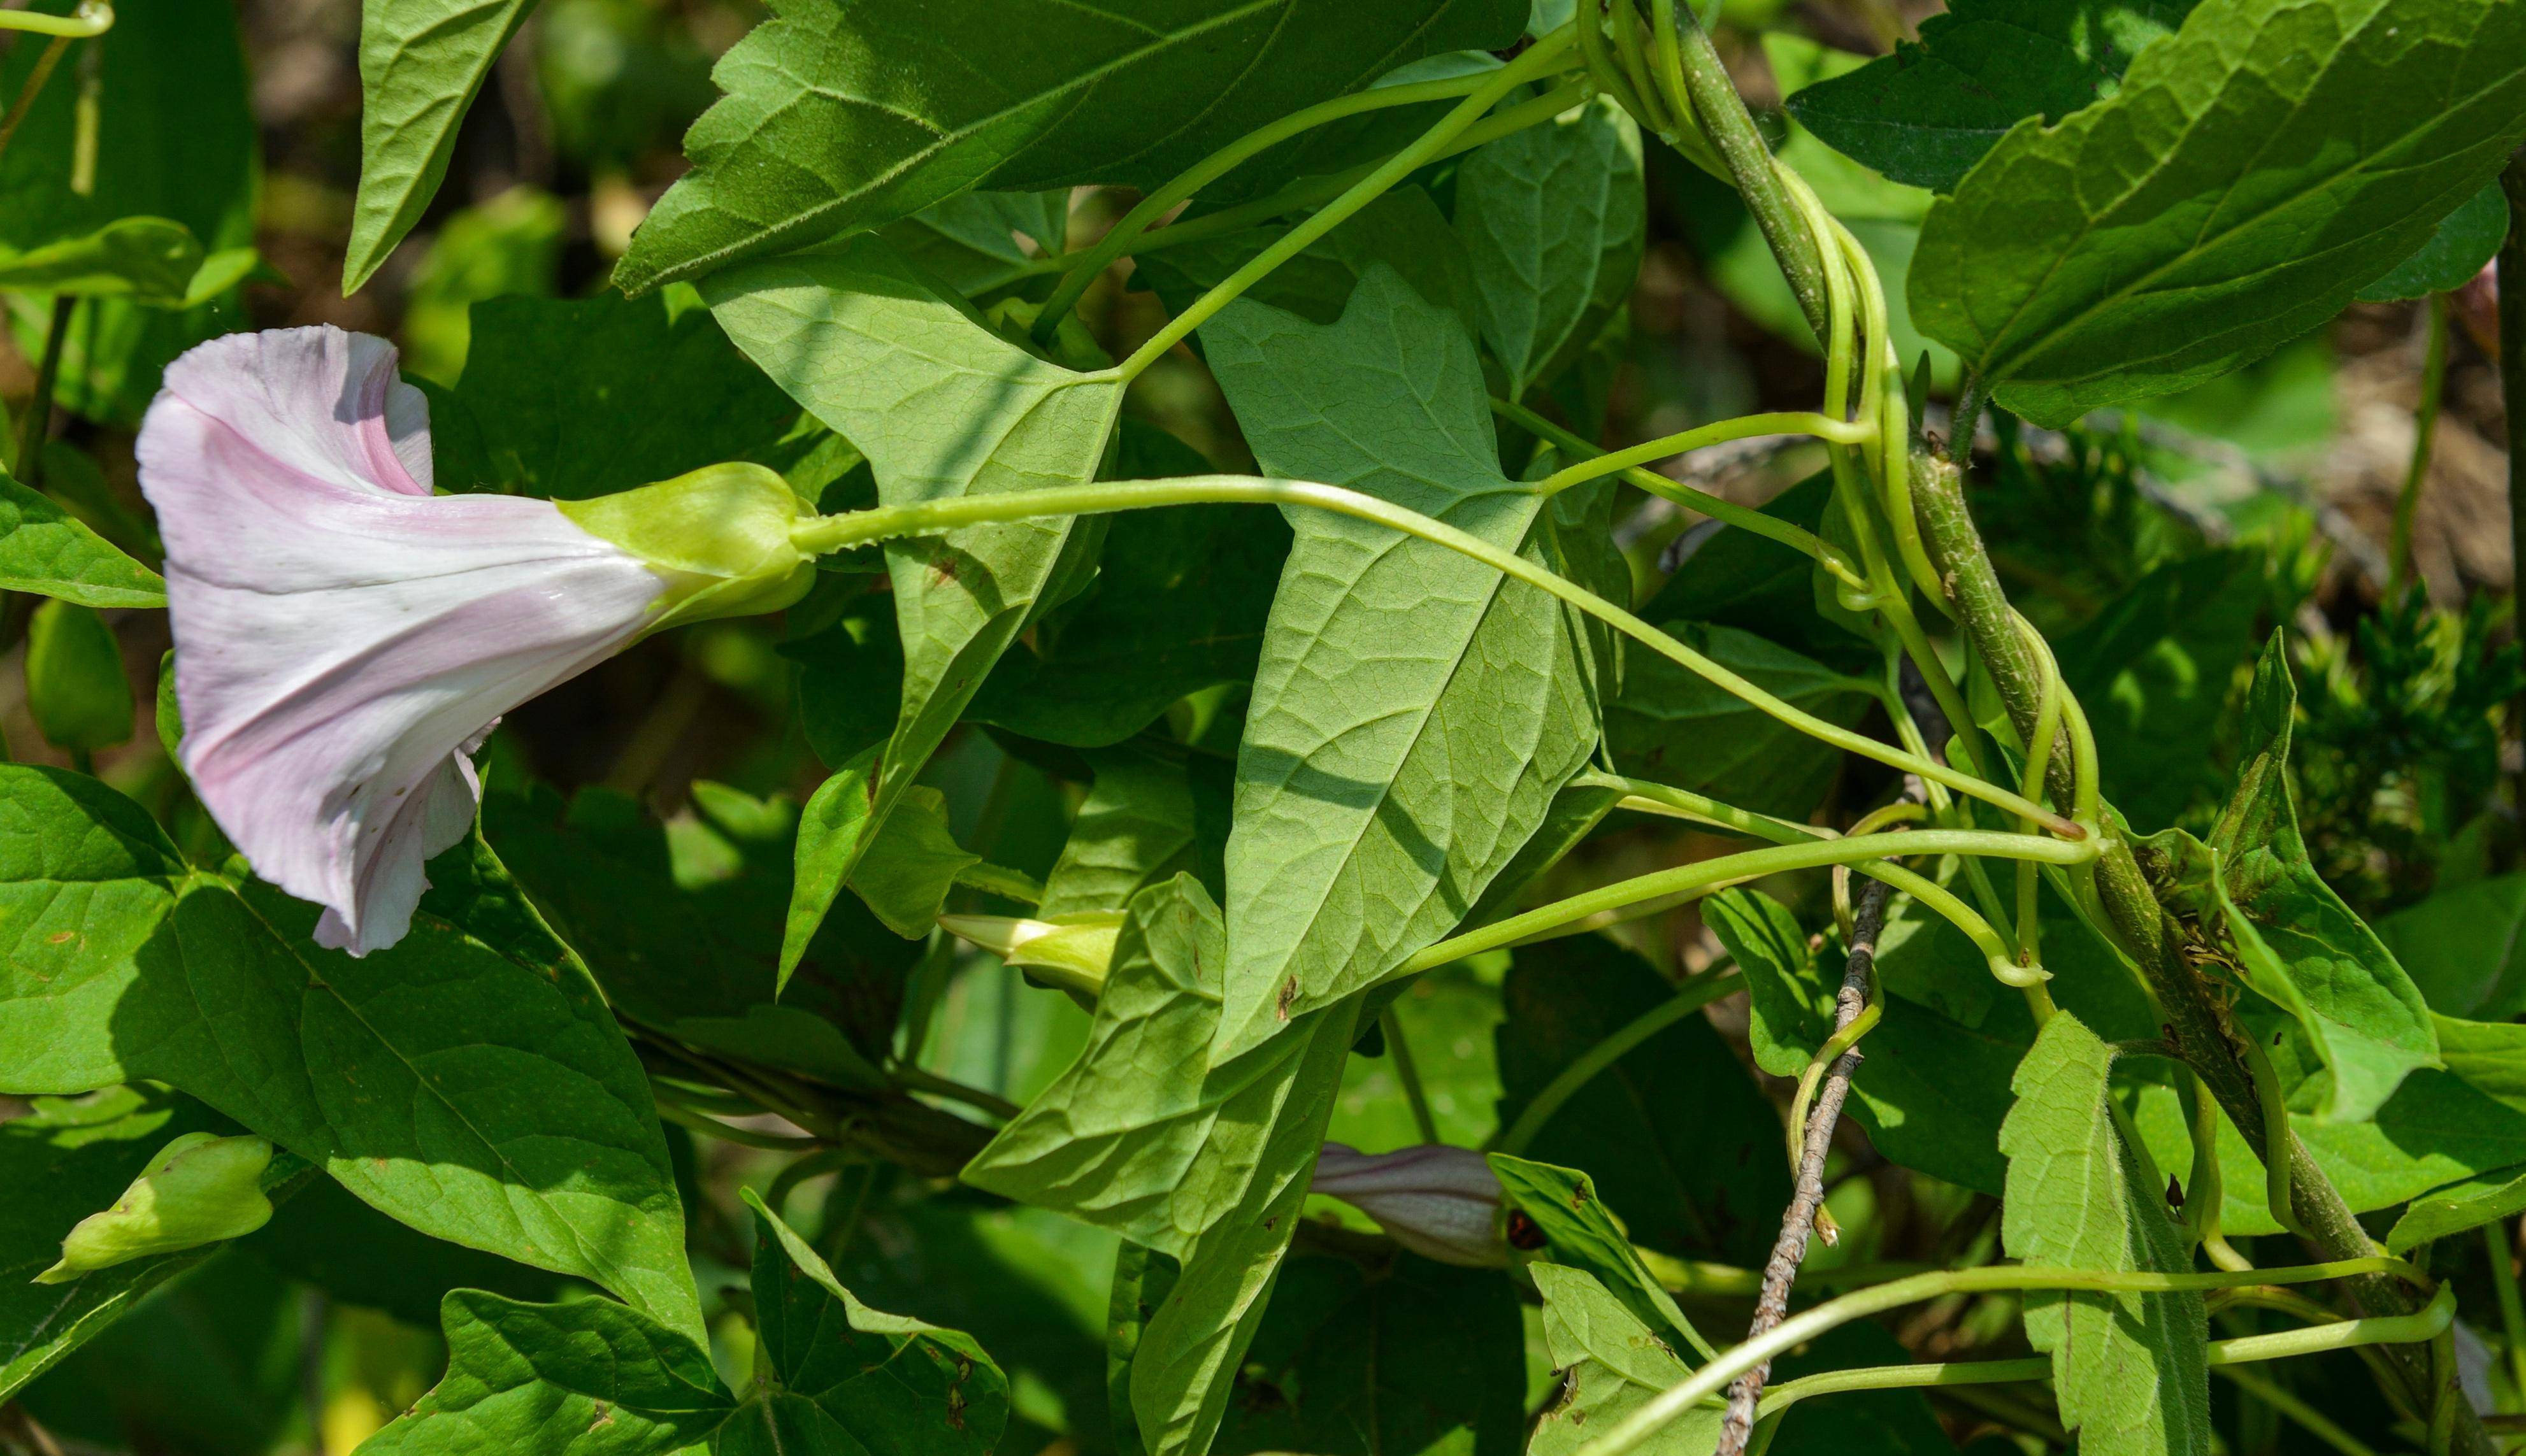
(345, 640)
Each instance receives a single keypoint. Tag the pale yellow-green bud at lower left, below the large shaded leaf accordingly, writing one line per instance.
(198, 1190)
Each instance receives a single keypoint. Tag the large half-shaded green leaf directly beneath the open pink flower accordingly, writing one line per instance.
(476, 1091)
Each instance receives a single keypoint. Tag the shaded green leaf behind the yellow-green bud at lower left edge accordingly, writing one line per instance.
(62, 1162)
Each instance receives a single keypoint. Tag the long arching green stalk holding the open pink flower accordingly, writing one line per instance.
(830, 534)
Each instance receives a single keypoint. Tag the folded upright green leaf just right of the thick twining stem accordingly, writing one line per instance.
(2297, 945)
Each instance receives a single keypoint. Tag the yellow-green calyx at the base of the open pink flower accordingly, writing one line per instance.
(721, 536)
